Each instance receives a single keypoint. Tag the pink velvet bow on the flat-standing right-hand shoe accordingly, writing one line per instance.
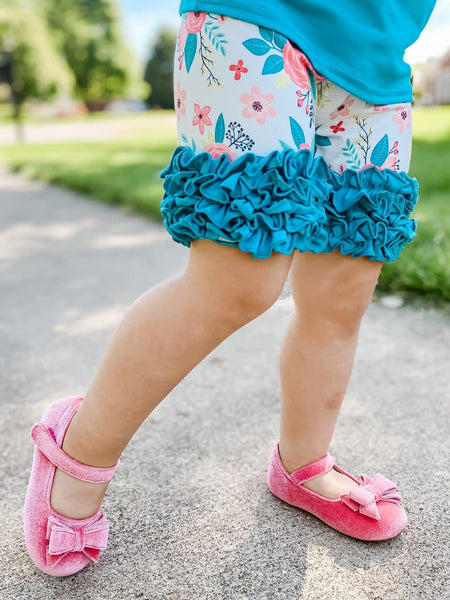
(370, 491)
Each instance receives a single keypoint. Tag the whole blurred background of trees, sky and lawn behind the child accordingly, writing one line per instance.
(86, 102)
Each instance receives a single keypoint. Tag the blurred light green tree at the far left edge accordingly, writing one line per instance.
(36, 69)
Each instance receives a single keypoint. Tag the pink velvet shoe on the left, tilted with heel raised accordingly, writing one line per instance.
(57, 544)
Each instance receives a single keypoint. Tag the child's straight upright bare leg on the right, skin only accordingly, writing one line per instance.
(331, 294)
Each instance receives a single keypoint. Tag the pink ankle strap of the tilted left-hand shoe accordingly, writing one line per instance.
(45, 441)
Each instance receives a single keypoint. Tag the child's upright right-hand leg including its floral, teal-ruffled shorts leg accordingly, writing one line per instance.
(332, 291)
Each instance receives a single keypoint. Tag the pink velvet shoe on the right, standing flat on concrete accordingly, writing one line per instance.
(370, 512)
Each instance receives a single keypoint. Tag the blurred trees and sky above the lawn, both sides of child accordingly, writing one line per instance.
(61, 58)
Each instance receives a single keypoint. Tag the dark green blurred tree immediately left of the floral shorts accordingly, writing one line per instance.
(159, 70)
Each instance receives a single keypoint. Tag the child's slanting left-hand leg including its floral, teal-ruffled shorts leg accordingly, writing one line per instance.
(172, 327)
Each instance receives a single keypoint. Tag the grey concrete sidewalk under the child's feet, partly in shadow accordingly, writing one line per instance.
(191, 517)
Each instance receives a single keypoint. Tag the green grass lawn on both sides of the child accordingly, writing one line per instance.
(126, 170)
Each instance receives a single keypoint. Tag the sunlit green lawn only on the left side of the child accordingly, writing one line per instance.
(121, 171)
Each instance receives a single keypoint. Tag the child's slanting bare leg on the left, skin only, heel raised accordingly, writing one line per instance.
(164, 335)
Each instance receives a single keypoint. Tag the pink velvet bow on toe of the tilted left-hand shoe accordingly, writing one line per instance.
(64, 539)
